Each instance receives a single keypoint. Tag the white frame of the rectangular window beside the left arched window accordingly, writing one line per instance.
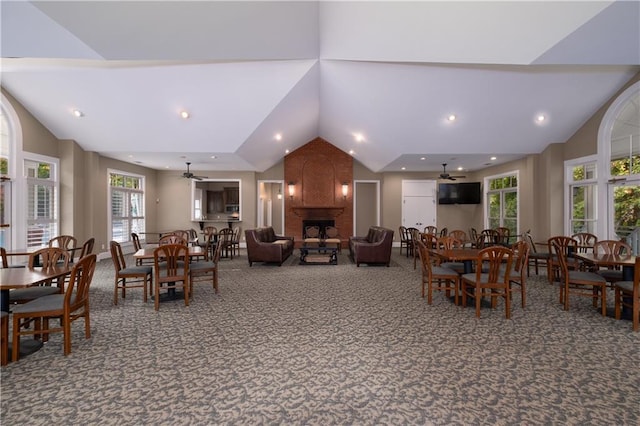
(54, 183)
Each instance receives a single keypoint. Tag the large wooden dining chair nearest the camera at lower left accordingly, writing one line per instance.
(67, 307)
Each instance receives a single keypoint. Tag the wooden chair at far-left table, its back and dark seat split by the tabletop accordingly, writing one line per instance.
(47, 257)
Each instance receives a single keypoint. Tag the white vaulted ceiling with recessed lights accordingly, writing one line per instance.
(389, 71)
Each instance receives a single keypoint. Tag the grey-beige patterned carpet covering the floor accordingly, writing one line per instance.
(321, 344)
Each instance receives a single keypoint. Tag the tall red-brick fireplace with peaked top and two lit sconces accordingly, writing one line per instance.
(317, 171)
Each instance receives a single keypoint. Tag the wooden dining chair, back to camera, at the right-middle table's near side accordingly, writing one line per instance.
(491, 278)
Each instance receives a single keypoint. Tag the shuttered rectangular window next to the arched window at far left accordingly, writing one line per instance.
(41, 176)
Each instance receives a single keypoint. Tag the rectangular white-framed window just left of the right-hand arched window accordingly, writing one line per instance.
(581, 177)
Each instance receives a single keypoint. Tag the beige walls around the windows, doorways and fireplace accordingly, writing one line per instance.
(84, 191)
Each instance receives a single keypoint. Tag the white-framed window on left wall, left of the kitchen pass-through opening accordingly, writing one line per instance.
(126, 198)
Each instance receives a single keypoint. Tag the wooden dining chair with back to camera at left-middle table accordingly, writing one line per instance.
(171, 270)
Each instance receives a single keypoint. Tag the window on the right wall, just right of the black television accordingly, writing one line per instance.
(502, 202)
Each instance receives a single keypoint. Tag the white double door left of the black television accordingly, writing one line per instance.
(419, 205)
